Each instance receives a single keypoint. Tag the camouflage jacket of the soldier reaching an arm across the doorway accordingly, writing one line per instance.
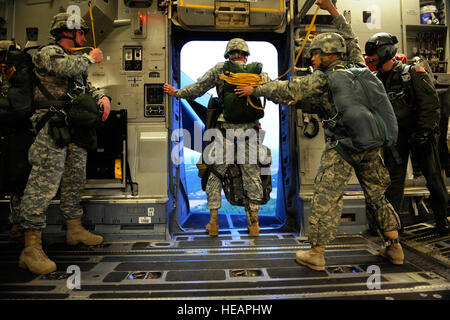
(313, 89)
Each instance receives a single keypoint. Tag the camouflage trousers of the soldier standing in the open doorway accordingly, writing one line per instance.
(250, 169)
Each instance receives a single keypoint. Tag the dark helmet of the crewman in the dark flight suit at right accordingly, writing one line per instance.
(384, 44)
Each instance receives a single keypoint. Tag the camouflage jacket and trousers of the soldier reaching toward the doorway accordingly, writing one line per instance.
(334, 171)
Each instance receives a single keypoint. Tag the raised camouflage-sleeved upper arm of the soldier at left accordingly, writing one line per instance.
(55, 60)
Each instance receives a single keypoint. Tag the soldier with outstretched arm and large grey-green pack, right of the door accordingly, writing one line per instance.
(328, 51)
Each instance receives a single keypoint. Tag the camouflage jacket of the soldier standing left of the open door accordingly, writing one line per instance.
(55, 66)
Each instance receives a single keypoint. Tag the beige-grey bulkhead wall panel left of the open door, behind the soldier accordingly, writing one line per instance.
(133, 41)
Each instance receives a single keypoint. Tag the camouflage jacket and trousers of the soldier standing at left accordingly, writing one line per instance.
(53, 166)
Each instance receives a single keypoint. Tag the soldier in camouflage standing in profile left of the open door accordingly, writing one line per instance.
(58, 159)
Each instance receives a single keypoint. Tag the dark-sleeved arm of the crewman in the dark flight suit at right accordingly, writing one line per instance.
(427, 101)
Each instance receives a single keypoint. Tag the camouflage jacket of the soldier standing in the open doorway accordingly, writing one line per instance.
(209, 80)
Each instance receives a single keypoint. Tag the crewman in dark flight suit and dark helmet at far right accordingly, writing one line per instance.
(416, 106)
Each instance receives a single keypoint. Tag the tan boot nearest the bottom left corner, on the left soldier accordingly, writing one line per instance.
(33, 257)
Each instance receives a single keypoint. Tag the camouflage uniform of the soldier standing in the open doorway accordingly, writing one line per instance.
(250, 171)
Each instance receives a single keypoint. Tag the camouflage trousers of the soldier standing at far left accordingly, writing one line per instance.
(52, 167)
